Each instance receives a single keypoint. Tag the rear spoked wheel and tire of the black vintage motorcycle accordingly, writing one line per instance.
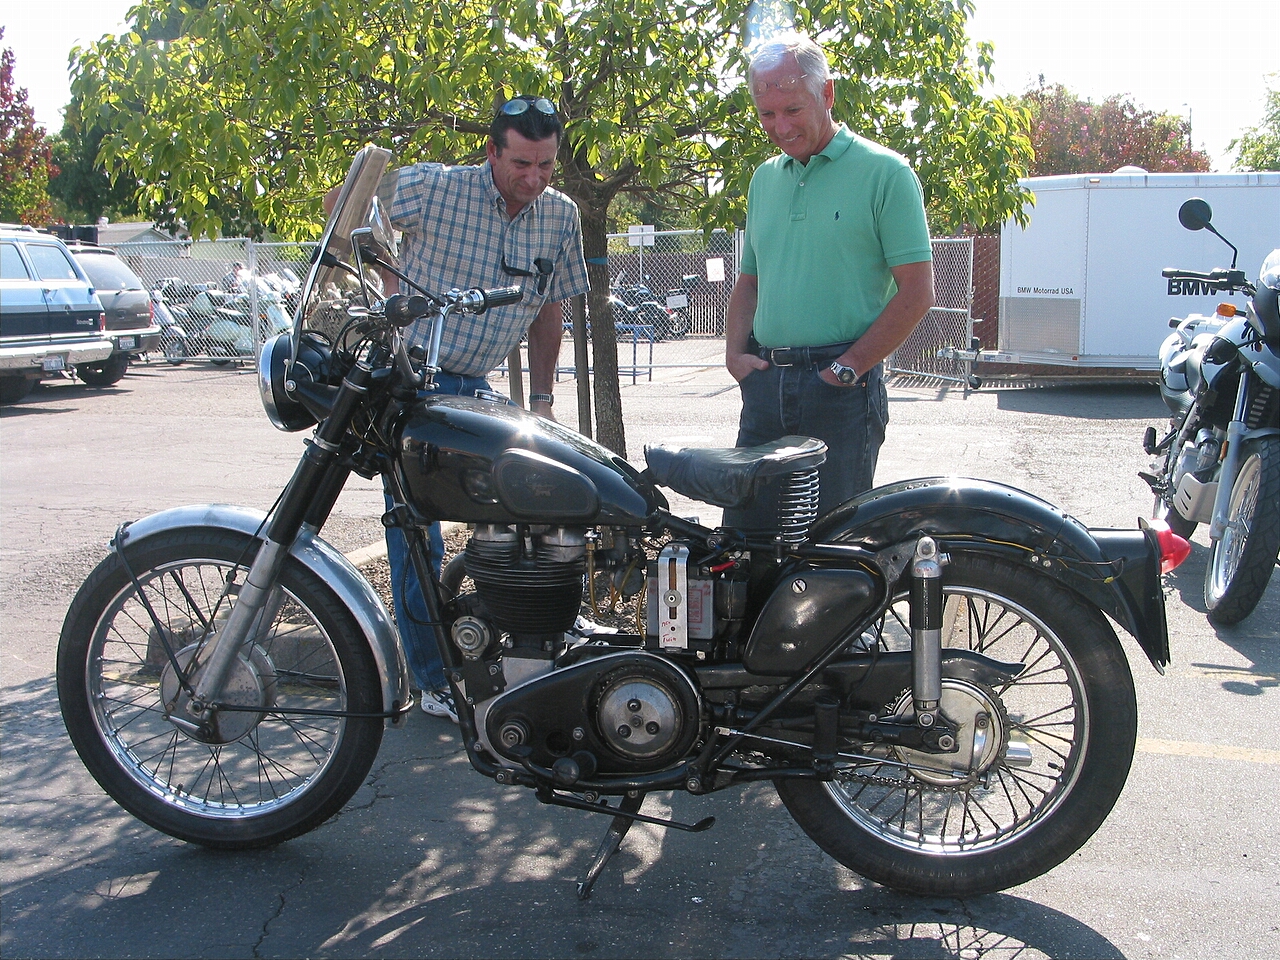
(1057, 747)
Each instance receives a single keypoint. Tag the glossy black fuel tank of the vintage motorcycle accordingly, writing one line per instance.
(483, 463)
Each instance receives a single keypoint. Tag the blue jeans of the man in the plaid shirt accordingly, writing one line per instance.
(418, 637)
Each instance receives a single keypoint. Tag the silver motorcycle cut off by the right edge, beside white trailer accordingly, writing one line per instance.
(1219, 463)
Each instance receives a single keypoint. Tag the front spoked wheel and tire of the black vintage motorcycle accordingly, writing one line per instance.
(272, 775)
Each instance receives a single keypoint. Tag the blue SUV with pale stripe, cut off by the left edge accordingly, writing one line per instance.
(51, 318)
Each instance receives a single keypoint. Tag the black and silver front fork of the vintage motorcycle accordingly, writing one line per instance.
(318, 478)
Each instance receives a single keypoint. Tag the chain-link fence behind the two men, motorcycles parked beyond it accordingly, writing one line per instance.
(669, 292)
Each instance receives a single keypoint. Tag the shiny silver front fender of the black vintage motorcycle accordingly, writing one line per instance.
(323, 560)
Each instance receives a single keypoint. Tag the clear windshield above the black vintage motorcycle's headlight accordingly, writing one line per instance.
(333, 286)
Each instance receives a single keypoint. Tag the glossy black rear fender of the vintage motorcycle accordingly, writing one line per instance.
(1116, 570)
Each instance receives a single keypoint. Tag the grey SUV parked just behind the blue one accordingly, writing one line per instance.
(131, 321)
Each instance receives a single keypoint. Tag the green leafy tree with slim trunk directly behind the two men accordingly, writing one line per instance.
(244, 113)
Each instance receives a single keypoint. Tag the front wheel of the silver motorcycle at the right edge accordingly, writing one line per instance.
(1241, 564)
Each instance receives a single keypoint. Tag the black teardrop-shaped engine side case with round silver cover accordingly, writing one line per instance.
(633, 712)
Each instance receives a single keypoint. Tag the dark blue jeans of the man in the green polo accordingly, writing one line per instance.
(794, 401)
